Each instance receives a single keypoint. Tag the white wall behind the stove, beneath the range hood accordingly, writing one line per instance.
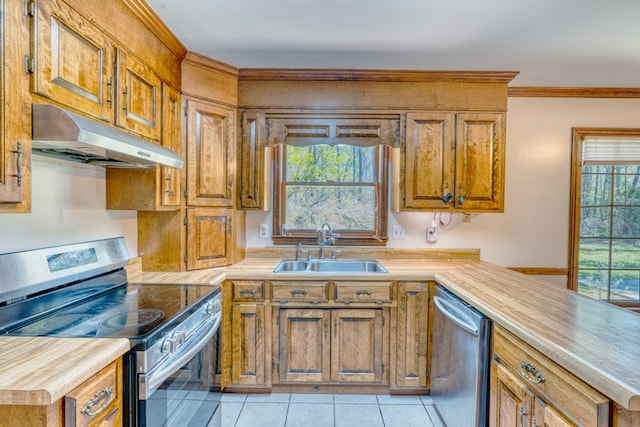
(68, 206)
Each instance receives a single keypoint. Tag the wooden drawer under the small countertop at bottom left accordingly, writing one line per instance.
(97, 400)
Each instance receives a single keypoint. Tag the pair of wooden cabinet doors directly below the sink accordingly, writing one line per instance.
(332, 345)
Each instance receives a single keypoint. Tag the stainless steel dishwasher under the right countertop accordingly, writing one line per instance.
(459, 361)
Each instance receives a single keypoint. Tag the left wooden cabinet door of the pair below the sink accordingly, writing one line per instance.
(304, 345)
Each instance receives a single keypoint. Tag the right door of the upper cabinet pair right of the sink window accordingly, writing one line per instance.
(480, 144)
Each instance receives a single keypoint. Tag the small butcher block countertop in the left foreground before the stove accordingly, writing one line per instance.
(41, 370)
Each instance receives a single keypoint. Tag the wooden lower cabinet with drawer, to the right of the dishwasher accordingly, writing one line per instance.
(528, 389)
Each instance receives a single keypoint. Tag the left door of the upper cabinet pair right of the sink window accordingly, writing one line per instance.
(427, 174)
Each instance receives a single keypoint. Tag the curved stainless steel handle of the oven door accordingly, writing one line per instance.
(149, 382)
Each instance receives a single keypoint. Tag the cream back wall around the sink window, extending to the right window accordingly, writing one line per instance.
(534, 229)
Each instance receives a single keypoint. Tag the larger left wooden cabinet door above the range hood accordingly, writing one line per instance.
(73, 60)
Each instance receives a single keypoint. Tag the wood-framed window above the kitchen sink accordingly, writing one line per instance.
(343, 185)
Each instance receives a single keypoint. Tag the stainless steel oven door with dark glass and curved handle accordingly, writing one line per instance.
(185, 391)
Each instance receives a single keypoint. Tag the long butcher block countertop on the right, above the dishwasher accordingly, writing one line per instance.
(597, 342)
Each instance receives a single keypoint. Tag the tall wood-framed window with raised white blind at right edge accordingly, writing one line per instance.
(605, 243)
